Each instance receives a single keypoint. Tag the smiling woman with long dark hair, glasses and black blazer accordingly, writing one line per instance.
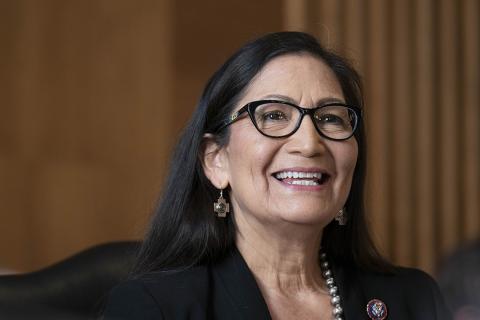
(262, 213)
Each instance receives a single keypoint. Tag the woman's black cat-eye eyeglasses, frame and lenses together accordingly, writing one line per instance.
(279, 119)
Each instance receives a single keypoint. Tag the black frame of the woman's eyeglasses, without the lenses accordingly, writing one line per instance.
(251, 106)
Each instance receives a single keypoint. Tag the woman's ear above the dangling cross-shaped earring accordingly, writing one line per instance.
(214, 161)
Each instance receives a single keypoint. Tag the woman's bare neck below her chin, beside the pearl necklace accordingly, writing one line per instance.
(284, 262)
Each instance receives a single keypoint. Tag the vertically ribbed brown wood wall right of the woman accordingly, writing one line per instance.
(420, 64)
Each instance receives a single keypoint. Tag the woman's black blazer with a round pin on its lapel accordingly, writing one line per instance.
(228, 290)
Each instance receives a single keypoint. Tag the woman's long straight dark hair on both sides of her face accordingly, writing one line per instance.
(184, 231)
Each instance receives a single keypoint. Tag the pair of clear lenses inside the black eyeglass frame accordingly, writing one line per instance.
(280, 119)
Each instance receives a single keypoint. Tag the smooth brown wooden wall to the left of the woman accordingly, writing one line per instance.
(93, 94)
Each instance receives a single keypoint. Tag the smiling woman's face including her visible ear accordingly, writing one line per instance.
(261, 201)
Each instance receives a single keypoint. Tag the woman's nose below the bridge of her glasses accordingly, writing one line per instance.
(306, 141)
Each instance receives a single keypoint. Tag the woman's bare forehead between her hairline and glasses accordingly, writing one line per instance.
(302, 77)
